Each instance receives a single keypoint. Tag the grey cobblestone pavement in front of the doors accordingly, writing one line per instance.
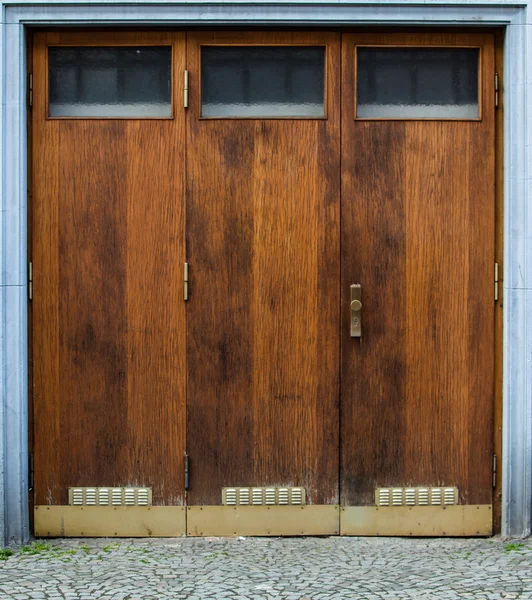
(266, 568)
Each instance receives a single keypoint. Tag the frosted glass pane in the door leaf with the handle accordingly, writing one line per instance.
(416, 83)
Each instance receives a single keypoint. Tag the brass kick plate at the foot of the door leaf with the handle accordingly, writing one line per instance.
(437, 521)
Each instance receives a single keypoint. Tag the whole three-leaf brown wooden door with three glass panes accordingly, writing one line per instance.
(305, 163)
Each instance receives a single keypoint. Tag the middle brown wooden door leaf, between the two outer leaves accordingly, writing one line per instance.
(263, 246)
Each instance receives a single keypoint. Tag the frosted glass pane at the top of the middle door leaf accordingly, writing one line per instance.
(262, 81)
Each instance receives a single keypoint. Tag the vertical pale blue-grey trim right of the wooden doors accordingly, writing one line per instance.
(517, 383)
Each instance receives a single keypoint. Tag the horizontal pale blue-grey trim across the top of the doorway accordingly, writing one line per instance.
(292, 14)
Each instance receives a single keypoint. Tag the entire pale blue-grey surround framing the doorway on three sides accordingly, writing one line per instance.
(517, 395)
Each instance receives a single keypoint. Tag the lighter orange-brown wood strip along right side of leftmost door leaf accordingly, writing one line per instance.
(156, 308)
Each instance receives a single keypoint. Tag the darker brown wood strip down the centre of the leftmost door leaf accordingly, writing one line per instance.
(93, 319)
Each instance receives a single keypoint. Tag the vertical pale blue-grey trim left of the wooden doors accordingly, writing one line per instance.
(14, 289)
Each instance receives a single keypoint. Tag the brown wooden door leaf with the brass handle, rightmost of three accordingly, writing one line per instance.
(418, 235)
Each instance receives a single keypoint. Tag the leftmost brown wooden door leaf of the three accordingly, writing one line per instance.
(108, 252)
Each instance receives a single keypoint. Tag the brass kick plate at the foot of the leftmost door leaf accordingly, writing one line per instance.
(110, 521)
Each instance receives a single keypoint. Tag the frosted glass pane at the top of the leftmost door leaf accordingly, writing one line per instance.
(110, 81)
